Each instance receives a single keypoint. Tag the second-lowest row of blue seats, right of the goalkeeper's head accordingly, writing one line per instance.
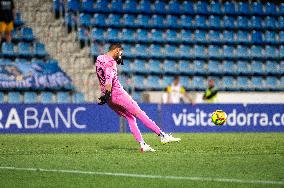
(225, 67)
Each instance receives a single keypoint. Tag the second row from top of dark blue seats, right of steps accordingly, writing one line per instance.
(183, 21)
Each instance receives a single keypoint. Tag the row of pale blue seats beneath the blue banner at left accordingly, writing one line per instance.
(43, 97)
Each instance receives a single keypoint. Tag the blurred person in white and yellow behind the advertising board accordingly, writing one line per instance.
(176, 93)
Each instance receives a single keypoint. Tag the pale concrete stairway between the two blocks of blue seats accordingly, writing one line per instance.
(61, 46)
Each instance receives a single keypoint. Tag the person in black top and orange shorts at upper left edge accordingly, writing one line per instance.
(7, 15)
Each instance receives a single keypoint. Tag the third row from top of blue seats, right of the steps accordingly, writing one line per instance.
(182, 36)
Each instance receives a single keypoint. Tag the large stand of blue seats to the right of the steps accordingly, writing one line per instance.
(239, 43)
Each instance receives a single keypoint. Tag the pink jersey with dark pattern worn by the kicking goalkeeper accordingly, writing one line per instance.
(107, 74)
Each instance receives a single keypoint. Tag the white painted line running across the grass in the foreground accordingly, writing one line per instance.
(224, 180)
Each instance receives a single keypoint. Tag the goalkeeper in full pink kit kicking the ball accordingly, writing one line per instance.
(120, 101)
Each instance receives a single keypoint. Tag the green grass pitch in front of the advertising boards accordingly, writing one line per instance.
(244, 156)
